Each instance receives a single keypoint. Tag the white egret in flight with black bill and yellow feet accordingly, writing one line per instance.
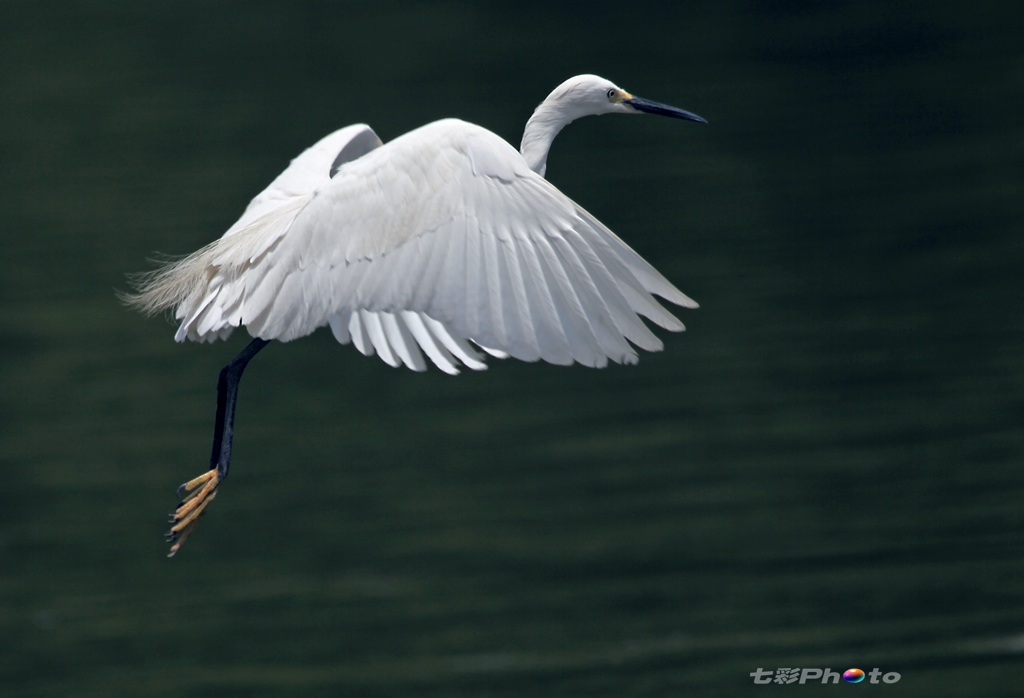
(442, 242)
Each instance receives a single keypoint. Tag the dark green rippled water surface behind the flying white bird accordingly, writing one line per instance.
(825, 471)
